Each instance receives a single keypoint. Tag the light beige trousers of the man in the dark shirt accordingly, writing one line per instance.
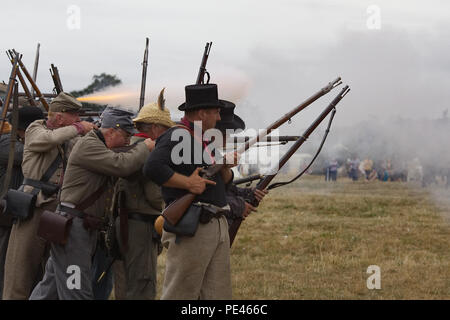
(198, 267)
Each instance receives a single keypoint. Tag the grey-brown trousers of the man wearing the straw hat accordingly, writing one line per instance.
(139, 262)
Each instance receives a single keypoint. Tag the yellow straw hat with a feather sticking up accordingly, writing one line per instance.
(155, 113)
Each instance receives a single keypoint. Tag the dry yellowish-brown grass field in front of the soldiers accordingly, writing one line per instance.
(315, 240)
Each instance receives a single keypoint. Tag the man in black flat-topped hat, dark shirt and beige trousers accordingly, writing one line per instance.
(198, 266)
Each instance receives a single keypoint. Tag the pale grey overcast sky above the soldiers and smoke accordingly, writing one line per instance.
(267, 56)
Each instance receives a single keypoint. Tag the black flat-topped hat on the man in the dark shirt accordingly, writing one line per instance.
(201, 96)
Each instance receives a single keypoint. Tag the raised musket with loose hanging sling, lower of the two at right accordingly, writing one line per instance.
(268, 178)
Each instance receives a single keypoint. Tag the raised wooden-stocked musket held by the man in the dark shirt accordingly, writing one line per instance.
(175, 210)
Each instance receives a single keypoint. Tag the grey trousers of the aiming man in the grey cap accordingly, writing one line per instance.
(68, 274)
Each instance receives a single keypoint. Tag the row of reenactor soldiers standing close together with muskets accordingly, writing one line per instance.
(100, 169)
